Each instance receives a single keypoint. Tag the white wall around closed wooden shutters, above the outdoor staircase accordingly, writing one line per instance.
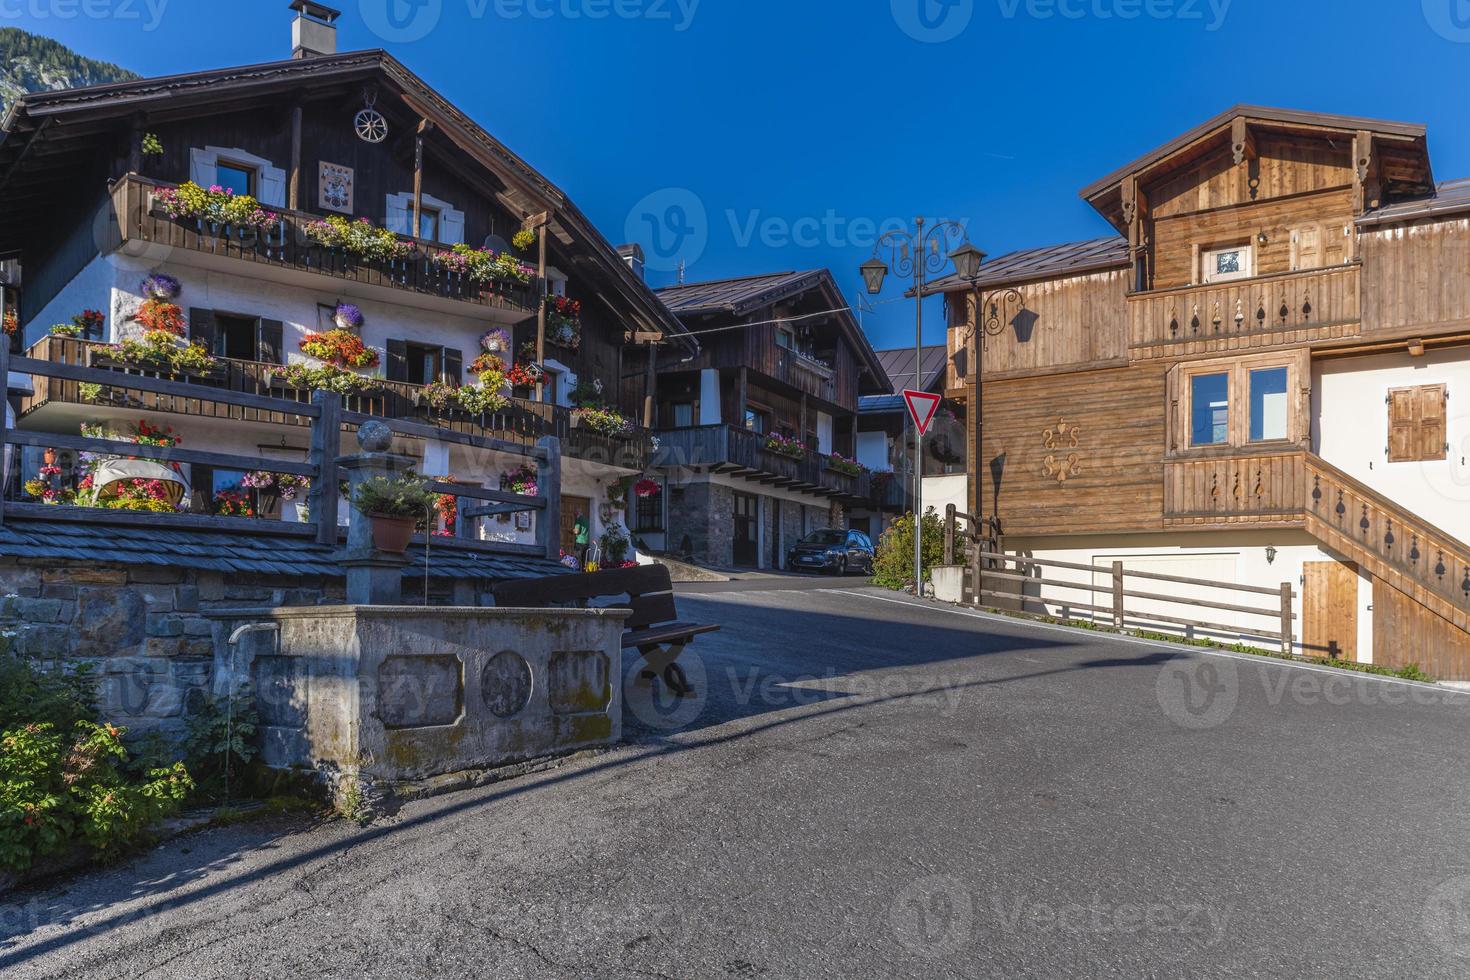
(1350, 431)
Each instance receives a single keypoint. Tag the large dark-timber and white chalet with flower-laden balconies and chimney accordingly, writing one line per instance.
(356, 136)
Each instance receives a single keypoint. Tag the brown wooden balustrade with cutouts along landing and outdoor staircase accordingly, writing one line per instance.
(1300, 490)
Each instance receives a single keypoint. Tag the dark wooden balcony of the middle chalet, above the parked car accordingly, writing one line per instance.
(739, 453)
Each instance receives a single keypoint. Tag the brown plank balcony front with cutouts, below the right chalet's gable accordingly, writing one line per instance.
(1287, 309)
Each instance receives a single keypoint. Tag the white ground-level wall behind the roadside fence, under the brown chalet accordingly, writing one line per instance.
(1236, 558)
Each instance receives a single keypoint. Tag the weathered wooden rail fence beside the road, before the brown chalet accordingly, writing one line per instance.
(992, 565)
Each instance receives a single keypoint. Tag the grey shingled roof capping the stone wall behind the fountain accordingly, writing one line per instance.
(237, 553)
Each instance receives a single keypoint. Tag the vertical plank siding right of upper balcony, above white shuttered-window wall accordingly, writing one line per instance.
(1416, 277)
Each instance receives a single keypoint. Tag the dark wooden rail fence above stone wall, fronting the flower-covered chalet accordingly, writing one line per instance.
(327, 422)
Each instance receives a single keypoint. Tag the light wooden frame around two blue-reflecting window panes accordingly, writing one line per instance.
(1238, 370)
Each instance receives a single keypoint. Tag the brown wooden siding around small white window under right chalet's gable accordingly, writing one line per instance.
(1180, 240)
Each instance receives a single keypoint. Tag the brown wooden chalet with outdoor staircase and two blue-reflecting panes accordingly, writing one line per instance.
(1253, 381)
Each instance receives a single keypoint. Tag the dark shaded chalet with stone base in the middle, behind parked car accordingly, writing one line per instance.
(759, 431)
